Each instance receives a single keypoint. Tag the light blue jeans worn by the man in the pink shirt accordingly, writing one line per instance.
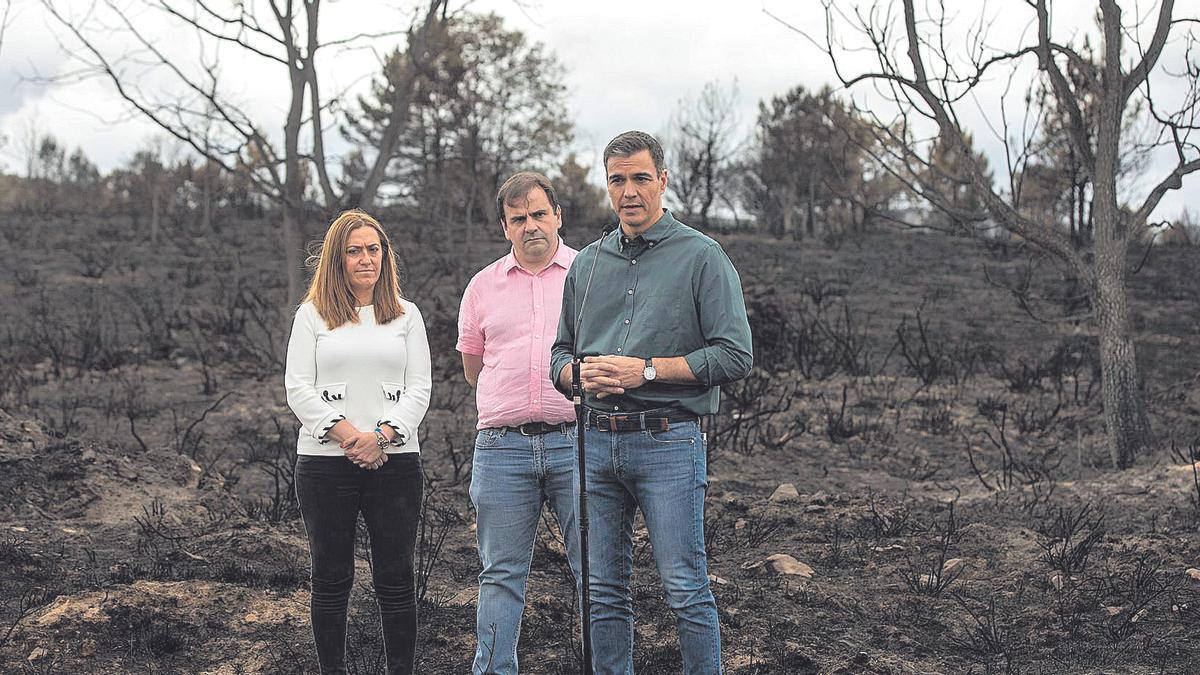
(512, 477)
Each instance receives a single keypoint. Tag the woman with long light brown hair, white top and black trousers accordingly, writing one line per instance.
(358, 378)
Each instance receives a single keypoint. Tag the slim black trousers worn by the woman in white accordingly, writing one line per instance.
(333, 492)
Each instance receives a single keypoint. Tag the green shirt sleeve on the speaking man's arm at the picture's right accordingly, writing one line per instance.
(728, 354)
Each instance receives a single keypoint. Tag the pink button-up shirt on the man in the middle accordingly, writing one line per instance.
(511, 318)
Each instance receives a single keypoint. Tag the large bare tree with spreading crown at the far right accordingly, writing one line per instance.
(928, 75)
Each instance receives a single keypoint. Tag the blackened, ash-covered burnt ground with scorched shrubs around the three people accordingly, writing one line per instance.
(915, 479)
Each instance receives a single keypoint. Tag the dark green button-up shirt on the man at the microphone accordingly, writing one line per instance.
(670, 292)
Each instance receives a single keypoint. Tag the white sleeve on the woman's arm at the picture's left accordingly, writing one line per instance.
(301, 377)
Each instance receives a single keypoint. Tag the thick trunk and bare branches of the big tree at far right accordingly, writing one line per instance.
(1097, 248)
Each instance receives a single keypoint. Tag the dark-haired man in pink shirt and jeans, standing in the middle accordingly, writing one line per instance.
(525, 449)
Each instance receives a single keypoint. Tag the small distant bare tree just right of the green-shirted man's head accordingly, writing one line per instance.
(704, 146)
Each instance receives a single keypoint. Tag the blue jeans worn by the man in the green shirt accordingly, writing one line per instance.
(665, 474)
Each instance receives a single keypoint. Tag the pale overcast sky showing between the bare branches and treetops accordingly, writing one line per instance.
(628, 65)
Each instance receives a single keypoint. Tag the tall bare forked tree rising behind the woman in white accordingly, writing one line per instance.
(115, 40)
